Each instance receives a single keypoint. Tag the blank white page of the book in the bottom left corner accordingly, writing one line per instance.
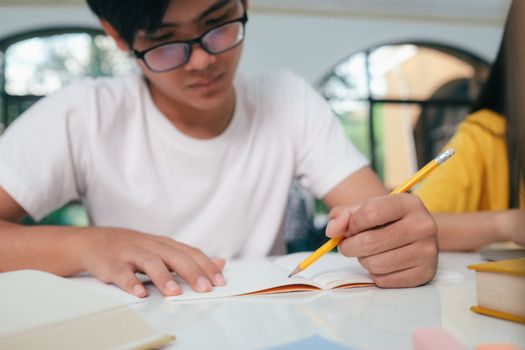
(30, 299)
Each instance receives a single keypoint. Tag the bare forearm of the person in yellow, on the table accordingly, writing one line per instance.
(471, 231)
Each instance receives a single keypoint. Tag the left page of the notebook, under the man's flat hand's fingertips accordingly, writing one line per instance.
(248, 276)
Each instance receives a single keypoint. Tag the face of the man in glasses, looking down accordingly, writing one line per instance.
(205, 81)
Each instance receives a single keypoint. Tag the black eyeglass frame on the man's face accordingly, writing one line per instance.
(189, 44)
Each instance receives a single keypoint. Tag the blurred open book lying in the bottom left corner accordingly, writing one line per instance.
(43, 311)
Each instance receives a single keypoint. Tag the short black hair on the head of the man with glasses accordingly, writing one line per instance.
(130, 16)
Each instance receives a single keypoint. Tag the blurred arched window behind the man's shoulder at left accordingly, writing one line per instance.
(36, 63)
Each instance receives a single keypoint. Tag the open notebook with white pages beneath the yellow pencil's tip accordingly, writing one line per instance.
(268, 276)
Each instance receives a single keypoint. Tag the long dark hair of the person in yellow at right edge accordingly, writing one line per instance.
(503, 93)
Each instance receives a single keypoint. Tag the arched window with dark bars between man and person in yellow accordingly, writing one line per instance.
(399, 103)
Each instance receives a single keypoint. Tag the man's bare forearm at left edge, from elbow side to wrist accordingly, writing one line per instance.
(48, 248)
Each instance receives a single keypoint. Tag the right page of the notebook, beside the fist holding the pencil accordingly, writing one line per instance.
(332, 270)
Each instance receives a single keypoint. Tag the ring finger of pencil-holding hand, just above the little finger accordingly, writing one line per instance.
(403, 258)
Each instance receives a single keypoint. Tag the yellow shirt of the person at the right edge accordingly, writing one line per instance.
(476, 177)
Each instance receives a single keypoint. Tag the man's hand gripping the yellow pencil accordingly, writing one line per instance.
(393, 237)
